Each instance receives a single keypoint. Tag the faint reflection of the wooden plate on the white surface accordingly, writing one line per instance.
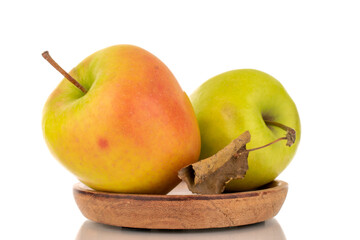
(270, 229)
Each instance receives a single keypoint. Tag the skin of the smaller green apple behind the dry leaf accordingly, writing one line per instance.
(239, 100)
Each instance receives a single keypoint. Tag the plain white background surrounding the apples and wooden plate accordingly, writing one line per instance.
(311, 47)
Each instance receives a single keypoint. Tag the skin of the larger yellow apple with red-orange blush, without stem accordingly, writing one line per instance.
(131, 132)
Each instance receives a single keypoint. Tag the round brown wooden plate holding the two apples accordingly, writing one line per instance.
(178, 211)
